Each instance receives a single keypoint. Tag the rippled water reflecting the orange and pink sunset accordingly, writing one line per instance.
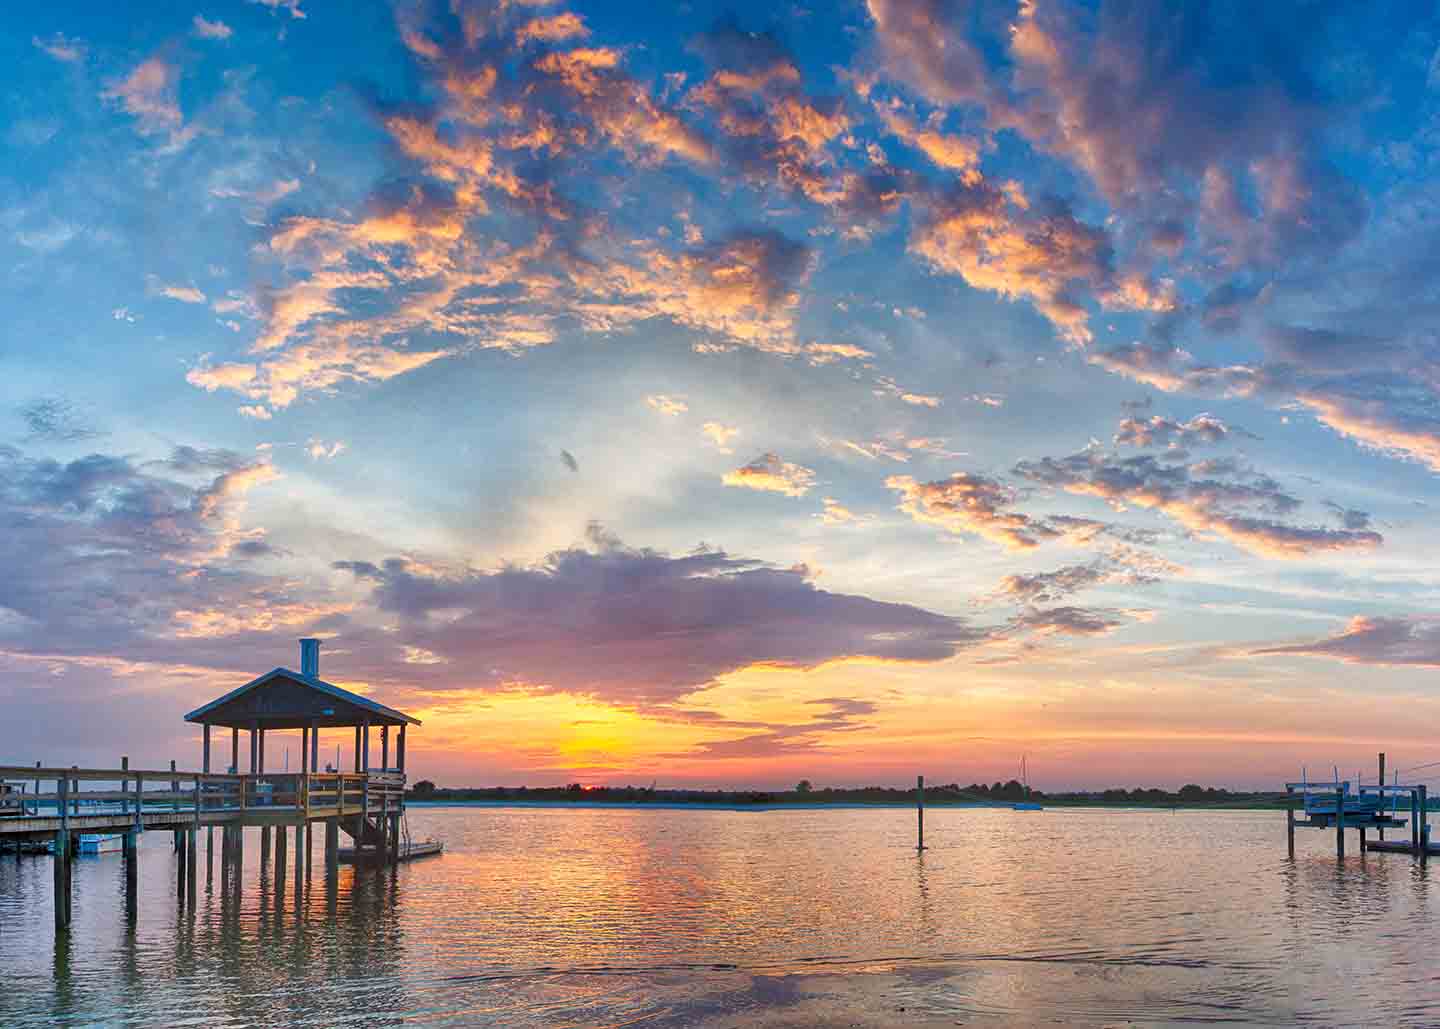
(631, 917)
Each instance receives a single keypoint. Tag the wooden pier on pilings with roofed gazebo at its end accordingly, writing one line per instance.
(58, 805)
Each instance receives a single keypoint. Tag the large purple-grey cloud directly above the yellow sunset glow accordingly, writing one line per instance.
(644, 627)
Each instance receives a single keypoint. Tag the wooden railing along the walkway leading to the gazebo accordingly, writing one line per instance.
(64, 794)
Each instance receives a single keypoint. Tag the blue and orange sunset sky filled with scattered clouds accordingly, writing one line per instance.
(728, 395)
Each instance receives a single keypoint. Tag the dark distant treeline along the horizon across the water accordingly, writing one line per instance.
(807, 794)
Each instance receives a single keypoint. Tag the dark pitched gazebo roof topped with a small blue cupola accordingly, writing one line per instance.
(283, 699)
